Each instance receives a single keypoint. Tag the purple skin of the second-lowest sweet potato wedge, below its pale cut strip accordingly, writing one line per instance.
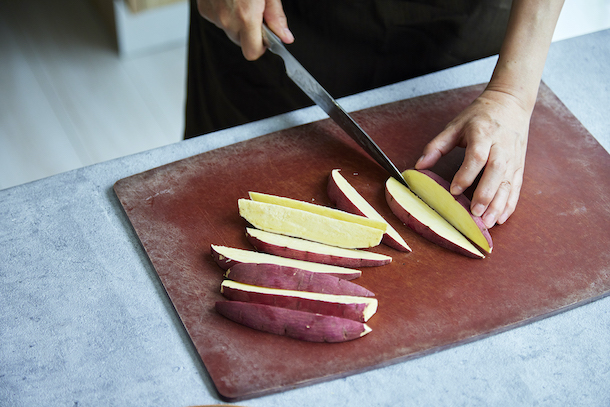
(350, 311)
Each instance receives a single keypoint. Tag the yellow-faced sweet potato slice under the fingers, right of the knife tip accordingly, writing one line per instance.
(445, 204)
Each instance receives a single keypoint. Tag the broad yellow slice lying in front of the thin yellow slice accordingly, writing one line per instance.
(308, 225)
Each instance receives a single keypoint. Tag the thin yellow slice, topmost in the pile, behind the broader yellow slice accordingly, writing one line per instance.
(319, 209)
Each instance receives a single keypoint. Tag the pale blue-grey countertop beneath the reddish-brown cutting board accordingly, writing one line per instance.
(85, 320)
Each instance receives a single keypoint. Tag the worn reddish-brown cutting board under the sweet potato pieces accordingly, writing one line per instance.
(550, 256)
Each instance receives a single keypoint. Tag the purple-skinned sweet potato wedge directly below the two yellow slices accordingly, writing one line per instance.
(306, 250)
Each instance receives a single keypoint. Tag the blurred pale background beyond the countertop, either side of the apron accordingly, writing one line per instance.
(86, 81)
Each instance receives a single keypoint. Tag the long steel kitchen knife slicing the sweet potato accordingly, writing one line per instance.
(323, 99)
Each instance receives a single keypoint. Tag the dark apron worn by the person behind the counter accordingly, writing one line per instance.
(349, 46)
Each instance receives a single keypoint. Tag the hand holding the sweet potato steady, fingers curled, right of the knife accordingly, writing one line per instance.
(494, 131)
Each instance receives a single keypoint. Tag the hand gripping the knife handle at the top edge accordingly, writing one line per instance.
(242, 21)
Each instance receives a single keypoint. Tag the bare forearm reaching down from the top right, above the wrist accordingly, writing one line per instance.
(525, 48)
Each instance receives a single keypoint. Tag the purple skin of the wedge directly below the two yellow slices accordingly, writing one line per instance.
(288, 252)
